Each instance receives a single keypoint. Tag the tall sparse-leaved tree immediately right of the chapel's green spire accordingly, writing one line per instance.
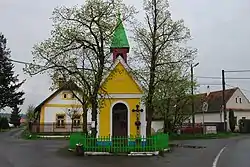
(160, 47)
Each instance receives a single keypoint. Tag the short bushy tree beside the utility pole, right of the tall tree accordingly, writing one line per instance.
(172, 101)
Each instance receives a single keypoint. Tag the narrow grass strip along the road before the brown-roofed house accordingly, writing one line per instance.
(202, 136)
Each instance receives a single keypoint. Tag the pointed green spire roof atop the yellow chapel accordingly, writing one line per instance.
(120, 39)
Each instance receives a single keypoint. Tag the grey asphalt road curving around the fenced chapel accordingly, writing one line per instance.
(41, 153)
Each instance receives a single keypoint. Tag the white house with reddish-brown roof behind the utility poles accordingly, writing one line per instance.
(235, 100)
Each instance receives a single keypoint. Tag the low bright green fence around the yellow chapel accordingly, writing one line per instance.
(156, 142)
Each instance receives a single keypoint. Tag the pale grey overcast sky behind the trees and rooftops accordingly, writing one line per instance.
(220, 31)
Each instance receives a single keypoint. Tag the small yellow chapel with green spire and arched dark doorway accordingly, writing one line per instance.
(123, 112)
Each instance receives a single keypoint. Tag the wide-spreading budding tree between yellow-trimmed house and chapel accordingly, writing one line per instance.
(79, 48)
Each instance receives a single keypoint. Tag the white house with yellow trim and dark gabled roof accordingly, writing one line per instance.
(54, 114)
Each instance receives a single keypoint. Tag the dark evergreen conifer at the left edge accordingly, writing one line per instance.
(9, 84)
